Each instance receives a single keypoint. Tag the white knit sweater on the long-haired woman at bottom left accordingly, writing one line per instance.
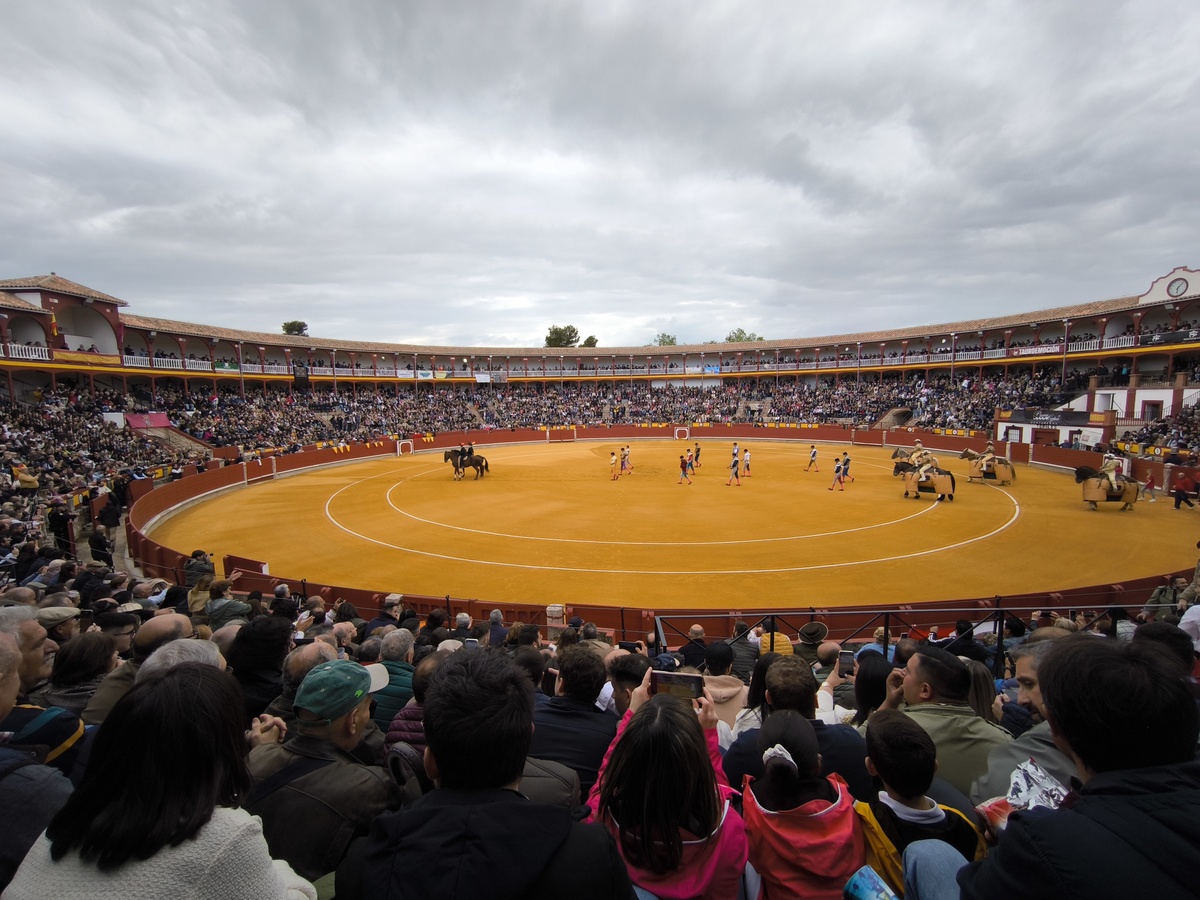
(227, 860)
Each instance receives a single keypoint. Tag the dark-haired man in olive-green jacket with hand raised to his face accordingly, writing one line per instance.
(934, 688)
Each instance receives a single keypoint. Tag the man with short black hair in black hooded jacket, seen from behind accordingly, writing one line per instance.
(477, 836)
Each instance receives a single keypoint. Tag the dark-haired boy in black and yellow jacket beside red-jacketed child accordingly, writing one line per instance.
(904, 758)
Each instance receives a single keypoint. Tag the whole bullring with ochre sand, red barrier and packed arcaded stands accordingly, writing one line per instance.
(322, 461)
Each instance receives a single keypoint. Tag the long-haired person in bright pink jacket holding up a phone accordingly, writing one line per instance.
(663, 795)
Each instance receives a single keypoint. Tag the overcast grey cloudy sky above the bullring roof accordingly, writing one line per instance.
(472, 173)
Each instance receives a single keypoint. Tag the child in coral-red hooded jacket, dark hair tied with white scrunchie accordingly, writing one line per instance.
(805, 837)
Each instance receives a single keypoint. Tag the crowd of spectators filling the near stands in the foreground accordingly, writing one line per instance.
(293, 749)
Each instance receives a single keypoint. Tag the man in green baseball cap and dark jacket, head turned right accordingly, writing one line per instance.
(315, 779)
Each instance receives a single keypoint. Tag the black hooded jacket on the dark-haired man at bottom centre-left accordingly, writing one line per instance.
(461, 845)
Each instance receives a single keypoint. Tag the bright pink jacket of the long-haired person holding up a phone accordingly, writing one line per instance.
(712, 865)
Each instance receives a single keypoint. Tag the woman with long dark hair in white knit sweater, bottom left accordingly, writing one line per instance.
(181, 734)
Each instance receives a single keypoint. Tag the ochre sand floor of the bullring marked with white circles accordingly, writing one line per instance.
(548, 525)
